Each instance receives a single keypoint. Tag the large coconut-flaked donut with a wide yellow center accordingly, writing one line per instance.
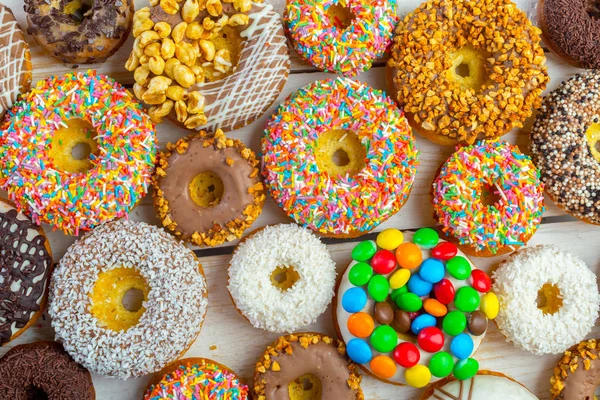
(97, 272)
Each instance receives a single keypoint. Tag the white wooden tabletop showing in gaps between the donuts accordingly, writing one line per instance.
(226, 336)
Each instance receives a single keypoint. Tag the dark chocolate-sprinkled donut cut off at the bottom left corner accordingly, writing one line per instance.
(43, 370)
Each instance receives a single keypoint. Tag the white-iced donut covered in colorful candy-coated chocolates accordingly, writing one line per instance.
(412, 308)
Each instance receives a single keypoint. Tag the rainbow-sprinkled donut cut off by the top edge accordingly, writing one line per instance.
(343, 37)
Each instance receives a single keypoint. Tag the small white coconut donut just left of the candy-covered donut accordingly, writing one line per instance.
(250, 278)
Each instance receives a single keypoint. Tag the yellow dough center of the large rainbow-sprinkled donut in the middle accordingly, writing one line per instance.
(339, 153)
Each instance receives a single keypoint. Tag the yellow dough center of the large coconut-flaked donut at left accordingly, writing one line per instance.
(116, 295)
